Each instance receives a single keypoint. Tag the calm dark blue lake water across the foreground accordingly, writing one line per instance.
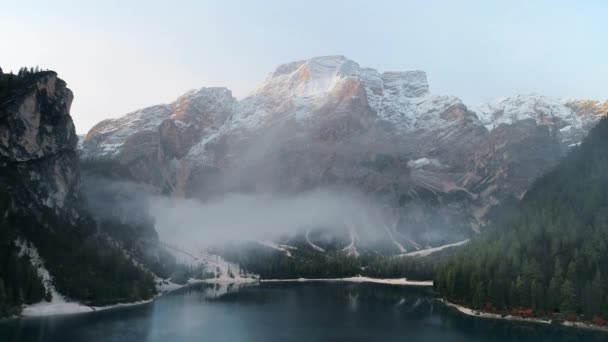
(286, 312)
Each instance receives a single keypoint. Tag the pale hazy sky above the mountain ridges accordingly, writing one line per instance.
(118, 56)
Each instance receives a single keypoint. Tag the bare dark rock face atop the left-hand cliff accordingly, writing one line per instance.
(38, 146)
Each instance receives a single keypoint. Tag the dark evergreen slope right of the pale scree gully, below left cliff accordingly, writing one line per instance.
(85, 265)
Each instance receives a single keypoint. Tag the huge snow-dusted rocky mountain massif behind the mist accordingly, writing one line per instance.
(440, 170)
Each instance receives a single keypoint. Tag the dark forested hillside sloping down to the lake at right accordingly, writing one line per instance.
(548, 257)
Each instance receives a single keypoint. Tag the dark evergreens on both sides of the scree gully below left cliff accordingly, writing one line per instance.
(85, 266)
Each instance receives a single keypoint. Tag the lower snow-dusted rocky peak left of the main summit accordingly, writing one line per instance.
(146, 143)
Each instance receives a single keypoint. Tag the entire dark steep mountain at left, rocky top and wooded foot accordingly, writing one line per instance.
(51, 248)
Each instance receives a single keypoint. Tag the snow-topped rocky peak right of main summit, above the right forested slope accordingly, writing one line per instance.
(527, 136)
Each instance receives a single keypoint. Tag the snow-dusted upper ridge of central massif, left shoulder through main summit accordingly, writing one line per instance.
(298, 93)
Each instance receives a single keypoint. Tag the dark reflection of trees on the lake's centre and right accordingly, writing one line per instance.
(408, 307)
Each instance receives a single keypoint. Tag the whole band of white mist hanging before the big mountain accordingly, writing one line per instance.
(267, 215)
